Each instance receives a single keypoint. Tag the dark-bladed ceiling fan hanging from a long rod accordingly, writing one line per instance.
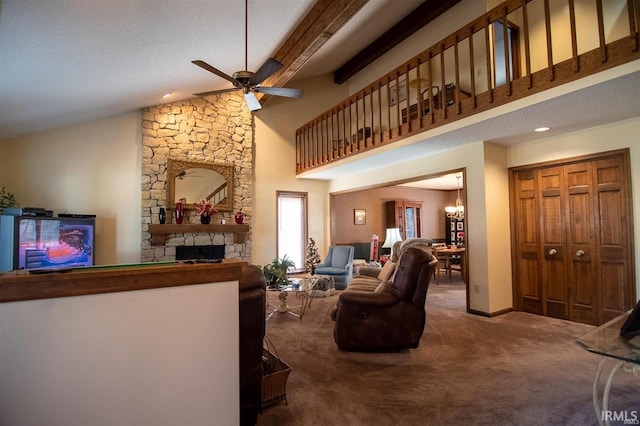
(249, 82)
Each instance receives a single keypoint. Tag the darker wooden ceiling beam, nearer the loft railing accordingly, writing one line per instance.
(416, 19)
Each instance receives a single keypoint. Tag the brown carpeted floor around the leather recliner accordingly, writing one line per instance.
(515, 369)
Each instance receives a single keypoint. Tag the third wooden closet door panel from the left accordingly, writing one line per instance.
(581, 243)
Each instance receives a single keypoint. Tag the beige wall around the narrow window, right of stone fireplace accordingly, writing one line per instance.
(275, 129)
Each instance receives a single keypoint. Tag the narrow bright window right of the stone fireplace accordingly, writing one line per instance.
(292, 226)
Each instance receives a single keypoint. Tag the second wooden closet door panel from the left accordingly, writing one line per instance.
(553, 240)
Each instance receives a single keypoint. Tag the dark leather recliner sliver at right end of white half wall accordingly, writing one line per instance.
(252, 326)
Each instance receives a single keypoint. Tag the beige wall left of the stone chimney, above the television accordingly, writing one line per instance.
(91, 168)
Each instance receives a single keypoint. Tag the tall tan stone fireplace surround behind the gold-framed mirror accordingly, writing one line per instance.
(218, 129)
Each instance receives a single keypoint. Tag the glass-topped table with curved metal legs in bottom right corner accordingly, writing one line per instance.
(605, 340)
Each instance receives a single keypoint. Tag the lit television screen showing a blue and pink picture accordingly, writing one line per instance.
(44, 243)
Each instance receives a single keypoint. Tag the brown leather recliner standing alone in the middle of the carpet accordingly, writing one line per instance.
(389, 319)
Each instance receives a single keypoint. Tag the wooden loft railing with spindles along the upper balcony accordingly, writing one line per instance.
(517, 49)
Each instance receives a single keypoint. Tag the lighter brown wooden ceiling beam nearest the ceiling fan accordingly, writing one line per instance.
(324, 19)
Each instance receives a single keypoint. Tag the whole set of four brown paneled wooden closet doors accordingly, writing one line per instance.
(573, 227)
